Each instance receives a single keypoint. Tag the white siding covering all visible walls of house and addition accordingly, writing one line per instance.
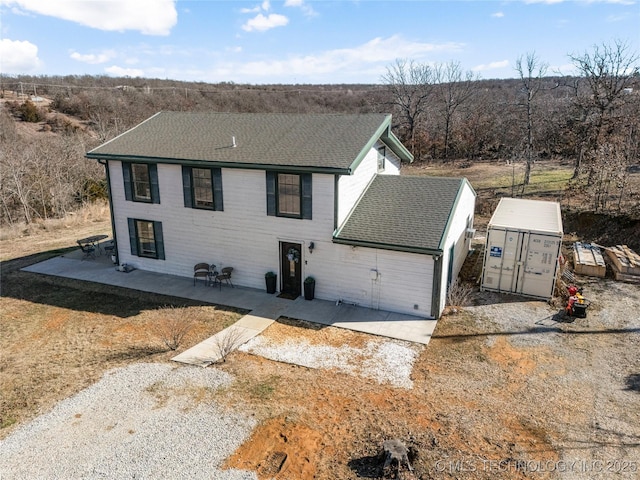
(243, 236)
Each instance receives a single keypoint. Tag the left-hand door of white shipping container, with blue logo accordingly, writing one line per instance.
(502, 259)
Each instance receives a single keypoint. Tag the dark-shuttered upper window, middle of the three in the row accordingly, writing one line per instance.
(202, 188)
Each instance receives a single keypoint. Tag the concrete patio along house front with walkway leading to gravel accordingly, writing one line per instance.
(264, 308)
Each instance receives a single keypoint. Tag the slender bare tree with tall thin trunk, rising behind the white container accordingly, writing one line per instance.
(531, 74)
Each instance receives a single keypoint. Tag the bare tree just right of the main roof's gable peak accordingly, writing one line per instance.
(410, 86)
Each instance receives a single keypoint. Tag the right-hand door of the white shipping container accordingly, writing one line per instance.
(541, 264)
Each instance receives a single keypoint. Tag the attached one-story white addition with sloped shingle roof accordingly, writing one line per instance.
(411, 236)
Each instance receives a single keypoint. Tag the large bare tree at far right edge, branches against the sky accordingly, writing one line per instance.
(599, 93)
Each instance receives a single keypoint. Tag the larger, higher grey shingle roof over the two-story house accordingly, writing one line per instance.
(322, 141)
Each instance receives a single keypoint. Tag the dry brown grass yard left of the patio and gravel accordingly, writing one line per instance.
(58, 336)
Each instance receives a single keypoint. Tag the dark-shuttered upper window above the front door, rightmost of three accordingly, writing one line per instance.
(289, 195)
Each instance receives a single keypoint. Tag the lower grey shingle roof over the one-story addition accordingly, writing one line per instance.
(402, 213)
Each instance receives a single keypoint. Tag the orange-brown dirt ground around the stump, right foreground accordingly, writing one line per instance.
(503, 390)
